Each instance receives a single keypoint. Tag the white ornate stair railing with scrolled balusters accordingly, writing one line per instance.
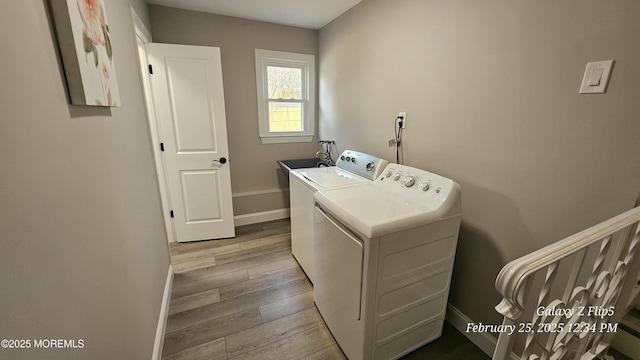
(563, 301)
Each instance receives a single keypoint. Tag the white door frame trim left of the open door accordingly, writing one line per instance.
(142, 35)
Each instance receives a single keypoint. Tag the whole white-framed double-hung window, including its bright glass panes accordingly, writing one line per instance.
(286, 96)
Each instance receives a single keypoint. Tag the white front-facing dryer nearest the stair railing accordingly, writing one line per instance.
(384, 255)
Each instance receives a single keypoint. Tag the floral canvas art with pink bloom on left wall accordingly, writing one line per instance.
(87, 53)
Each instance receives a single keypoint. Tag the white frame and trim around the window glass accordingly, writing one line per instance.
(307, 64)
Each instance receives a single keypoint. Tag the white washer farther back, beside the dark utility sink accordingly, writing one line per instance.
(352, 168)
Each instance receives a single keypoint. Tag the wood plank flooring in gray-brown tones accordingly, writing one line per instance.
(247, 298)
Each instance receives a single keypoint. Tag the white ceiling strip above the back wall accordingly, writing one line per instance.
(310, 14)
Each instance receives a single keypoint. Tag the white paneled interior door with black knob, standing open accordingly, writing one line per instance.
(186, 82)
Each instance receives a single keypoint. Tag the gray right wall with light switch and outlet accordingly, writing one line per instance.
(491, 91)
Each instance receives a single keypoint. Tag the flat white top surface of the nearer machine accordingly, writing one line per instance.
(374, 212)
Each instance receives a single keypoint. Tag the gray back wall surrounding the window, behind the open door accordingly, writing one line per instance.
(257, 182)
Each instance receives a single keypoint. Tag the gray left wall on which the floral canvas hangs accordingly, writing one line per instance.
(84, 252)
